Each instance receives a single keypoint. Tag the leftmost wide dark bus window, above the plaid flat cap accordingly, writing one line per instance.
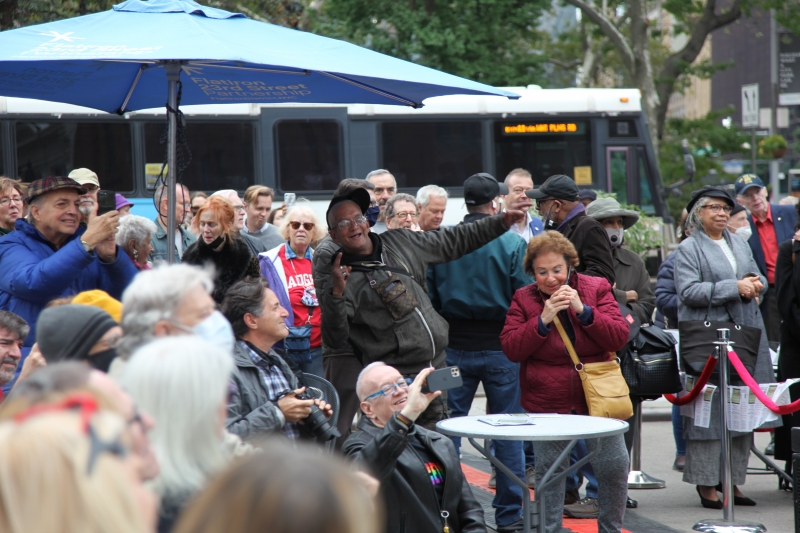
(57, 148)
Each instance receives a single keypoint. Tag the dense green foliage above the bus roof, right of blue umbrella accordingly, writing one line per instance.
(491, 41)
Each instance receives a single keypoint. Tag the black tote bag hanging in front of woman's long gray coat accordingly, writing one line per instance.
(697, 343)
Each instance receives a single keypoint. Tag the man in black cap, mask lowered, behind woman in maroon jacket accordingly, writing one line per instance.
(557, 201)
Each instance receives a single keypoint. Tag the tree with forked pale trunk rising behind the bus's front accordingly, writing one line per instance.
(695, 18)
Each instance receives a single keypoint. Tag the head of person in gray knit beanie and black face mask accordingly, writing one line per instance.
(78, 332)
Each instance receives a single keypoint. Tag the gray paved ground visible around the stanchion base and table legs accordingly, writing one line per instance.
(677, 507)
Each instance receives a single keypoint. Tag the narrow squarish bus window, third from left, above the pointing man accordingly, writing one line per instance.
(308, 155)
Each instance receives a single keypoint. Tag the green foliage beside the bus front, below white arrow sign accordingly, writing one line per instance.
(708, 140)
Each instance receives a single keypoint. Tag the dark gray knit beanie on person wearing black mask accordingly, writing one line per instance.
(70, 331)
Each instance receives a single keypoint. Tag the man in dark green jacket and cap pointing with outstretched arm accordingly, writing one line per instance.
(375, 298)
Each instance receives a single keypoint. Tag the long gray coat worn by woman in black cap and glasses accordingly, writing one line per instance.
(699, 262)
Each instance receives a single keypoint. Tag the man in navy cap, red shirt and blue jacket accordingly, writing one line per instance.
(771, 224)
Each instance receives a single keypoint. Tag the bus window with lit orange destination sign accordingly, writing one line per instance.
(542, 147)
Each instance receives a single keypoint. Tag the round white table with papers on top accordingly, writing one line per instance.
(545, 428)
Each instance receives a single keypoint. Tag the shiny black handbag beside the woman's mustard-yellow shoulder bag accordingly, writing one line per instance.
(649, 361)
